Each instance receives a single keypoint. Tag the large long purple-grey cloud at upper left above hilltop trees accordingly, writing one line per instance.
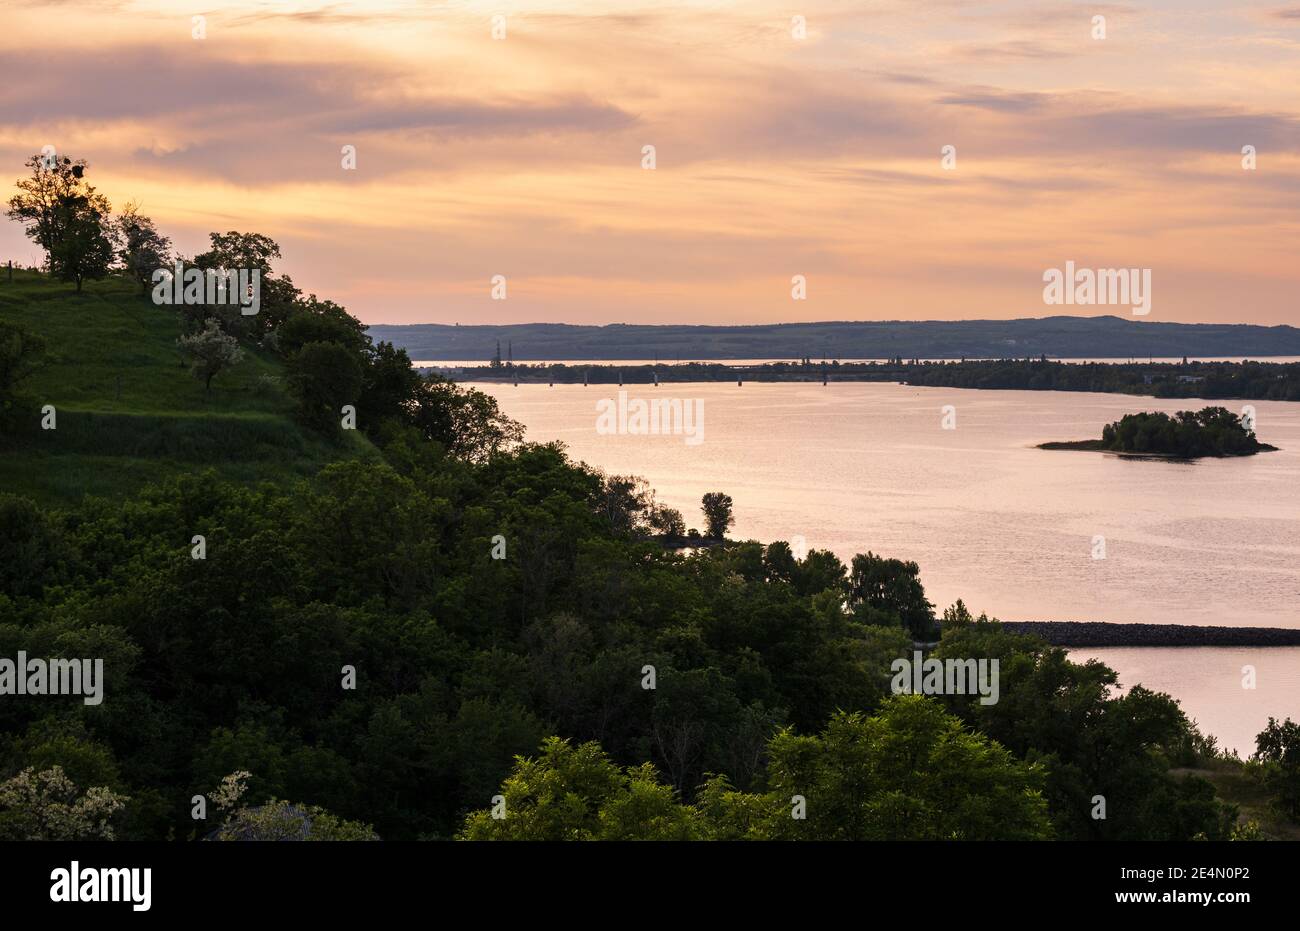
(262, 122)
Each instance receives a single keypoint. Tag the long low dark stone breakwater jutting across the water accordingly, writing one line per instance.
(1100, 634)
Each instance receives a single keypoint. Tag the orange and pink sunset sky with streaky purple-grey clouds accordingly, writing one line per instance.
(798, 138)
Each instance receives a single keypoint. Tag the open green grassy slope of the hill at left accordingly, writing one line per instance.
(128, 409)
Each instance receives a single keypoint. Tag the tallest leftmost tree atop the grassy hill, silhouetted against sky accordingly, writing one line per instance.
(64, 216)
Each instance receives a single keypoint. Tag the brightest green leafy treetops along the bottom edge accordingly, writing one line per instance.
(908, 773)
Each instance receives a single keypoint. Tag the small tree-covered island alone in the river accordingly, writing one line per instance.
(1188, 435)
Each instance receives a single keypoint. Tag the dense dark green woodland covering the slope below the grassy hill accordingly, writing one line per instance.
(766, 682)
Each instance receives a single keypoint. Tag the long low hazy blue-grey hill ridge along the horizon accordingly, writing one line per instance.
(1056, 337)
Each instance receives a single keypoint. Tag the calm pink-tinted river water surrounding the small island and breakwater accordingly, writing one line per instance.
(952, 479)
